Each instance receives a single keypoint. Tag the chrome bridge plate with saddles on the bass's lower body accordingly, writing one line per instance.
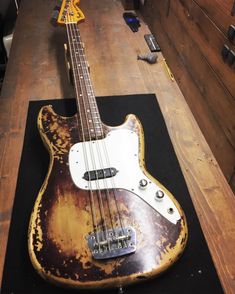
(112, 243)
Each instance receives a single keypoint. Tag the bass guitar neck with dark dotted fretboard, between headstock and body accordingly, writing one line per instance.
(88, 113)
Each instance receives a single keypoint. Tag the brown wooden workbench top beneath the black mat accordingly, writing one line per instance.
(36, 70)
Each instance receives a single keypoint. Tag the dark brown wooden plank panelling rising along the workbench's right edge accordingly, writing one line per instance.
(192, 42)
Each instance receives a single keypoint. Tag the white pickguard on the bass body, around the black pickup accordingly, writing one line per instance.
(120, 150)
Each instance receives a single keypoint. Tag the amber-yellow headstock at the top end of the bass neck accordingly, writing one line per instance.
(70, 12)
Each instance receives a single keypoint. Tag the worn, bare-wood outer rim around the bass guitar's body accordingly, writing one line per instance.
(133, 123)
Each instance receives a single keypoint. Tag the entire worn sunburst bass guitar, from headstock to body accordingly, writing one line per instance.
(100, 219)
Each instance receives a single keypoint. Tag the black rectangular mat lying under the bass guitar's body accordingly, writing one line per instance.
(193, 273)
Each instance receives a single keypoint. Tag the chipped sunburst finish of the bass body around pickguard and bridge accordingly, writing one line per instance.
(62, 219)
